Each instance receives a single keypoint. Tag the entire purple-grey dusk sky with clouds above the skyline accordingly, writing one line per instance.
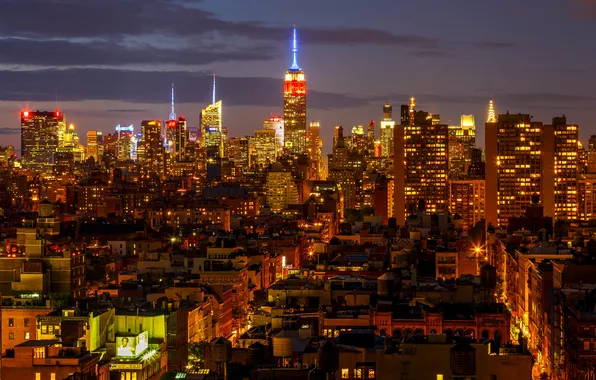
(113, 61)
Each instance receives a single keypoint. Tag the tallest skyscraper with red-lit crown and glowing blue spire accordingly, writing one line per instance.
(295, 105)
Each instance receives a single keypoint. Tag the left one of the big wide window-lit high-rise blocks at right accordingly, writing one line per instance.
(421, 177)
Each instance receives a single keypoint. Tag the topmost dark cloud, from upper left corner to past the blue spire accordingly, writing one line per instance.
(115, 19)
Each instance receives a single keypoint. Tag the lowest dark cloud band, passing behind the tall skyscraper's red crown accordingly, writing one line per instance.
(153, 87)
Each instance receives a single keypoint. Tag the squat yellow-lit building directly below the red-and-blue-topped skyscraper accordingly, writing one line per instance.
(281, 188)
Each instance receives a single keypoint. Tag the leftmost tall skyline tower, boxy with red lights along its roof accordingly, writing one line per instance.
(39, 139)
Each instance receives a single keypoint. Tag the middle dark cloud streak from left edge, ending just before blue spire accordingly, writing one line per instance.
(68, 53)
